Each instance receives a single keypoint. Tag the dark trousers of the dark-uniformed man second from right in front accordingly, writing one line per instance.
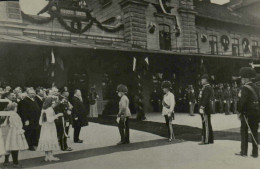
(207, 132)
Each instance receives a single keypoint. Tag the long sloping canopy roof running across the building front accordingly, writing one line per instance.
(28, 40)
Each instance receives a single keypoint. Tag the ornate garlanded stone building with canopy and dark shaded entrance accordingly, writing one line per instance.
(85, 42)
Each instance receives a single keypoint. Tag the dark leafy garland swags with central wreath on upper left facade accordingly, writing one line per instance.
(75, 25)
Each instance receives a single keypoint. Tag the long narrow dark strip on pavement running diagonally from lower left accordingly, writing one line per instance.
(77, 155)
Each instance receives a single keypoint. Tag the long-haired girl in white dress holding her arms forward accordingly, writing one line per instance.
(48, 141)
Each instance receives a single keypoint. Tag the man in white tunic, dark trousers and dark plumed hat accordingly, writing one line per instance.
(168, 107)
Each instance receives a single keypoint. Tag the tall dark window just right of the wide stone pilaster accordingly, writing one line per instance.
(165, 37)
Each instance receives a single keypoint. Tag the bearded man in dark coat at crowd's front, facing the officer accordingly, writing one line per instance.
(79, 115)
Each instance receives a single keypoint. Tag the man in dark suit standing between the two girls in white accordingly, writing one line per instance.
(30, 113)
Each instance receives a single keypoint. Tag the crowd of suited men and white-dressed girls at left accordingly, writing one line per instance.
(40, 120)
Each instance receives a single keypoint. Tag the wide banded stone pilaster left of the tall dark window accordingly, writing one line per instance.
(135, 22)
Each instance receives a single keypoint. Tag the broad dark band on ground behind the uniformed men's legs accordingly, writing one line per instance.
(181, 132)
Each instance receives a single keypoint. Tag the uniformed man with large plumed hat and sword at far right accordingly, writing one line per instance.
(248, 113)
